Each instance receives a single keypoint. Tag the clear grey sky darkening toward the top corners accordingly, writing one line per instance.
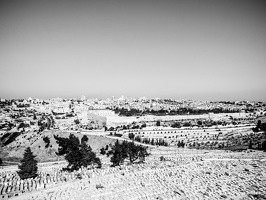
(201, 50)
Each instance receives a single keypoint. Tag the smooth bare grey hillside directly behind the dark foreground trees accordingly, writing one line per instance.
(14, 150)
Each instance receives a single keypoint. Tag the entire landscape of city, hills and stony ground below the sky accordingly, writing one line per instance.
(173, 134)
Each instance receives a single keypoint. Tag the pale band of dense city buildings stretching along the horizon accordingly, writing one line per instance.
(95, 113)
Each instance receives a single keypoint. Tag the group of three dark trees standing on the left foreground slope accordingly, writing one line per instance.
(78, 154)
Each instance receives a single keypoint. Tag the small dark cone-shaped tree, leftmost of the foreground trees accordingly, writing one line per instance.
(28, 167)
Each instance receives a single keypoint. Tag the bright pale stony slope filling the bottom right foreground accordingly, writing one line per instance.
(168, 173)
